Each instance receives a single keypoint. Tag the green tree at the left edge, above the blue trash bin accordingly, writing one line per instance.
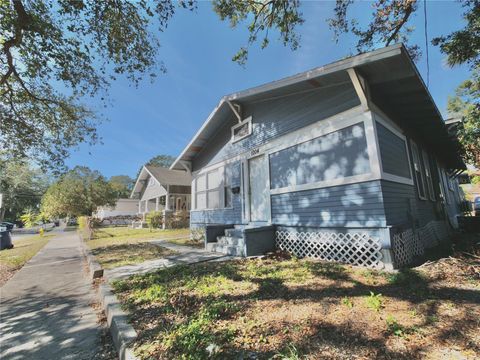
(22, 186)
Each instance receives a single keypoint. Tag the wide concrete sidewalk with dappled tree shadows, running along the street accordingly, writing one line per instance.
(45, 310)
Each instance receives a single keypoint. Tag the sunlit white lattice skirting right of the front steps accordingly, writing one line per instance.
(351, 248)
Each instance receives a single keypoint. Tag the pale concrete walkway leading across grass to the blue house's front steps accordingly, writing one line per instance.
(185, 255)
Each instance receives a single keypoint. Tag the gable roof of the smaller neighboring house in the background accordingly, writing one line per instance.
(163, 175)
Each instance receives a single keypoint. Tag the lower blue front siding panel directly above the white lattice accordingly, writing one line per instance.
(353, 205)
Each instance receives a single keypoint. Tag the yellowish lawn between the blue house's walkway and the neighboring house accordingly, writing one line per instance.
(120, 246)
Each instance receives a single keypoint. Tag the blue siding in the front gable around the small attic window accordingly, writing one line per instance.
(274, 118)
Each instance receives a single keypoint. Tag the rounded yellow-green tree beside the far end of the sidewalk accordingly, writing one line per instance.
(78, 192)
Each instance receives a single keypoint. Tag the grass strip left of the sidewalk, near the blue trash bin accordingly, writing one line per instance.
(24, 249)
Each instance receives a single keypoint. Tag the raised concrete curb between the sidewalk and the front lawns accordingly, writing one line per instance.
(123, 334)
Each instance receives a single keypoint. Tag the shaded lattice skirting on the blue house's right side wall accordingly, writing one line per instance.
(408, 244)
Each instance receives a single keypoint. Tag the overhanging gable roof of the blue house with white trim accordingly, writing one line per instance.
(395, 86)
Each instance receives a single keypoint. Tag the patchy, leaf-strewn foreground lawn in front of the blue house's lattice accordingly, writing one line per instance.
(285, 308)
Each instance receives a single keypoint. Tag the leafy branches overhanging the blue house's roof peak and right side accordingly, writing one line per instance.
(389, 24)
